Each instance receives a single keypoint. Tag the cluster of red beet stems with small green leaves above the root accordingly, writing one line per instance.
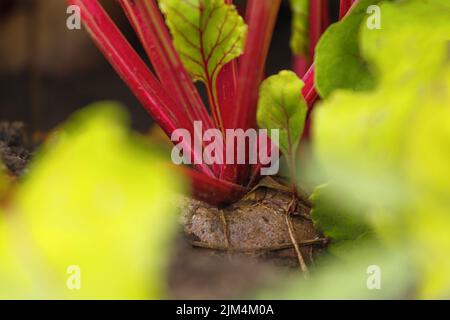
(209, 42)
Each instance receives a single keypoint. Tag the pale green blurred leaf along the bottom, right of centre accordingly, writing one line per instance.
(349, 279)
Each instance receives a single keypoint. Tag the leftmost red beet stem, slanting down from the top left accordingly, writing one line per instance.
(134, 72)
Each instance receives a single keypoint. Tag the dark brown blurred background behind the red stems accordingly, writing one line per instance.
(48, 71)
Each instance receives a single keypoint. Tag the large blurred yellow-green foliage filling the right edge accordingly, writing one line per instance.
(390, 146)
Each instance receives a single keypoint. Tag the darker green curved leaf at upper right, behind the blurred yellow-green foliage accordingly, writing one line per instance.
(338, 61)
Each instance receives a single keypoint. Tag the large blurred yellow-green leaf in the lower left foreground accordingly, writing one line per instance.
(96, 199)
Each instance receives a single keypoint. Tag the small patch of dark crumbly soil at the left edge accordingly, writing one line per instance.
(15, 150)
